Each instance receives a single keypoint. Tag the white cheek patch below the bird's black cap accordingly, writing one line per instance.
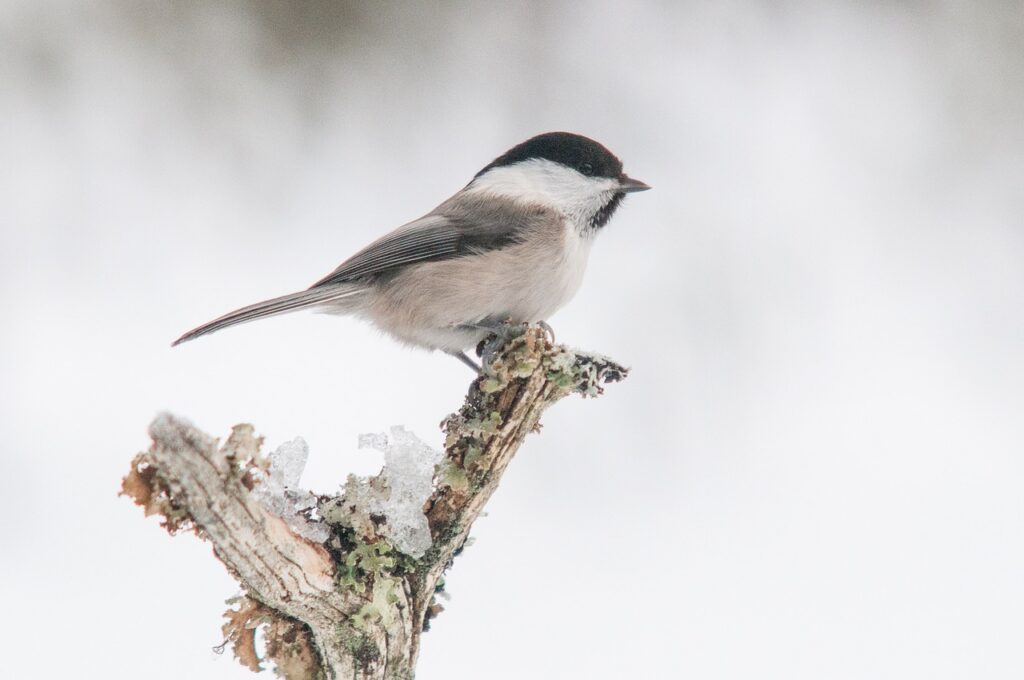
(540, 181)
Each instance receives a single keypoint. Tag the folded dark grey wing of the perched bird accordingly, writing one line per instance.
(457, 228)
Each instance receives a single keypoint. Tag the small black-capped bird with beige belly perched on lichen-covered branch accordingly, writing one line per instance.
(510, 247)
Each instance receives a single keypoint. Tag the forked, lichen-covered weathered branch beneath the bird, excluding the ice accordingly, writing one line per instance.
(353, 606)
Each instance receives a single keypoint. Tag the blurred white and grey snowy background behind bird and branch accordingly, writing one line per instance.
(816, 469)
